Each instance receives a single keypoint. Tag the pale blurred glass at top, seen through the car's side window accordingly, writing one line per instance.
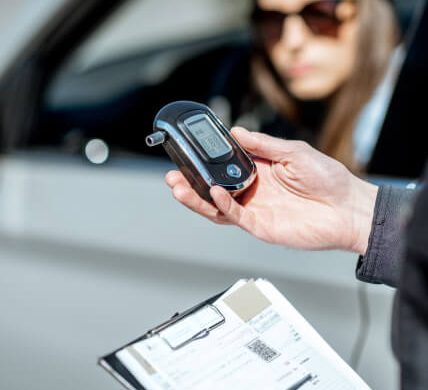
(139, 25)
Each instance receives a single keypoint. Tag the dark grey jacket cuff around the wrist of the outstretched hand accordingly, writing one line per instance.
(382, 261)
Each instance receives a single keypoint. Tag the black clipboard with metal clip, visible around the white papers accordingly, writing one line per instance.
(114, 366)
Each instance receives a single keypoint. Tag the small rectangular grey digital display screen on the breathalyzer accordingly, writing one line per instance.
(208, 137)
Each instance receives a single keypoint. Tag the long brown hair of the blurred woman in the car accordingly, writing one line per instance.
(377, 37)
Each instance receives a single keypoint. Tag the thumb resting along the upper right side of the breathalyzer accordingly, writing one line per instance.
(263, 145)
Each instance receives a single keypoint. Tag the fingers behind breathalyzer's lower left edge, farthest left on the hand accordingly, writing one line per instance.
(186, 195)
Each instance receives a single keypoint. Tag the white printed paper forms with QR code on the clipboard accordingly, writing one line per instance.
(263, 343)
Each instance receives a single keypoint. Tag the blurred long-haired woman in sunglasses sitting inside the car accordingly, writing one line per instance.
(318, 63)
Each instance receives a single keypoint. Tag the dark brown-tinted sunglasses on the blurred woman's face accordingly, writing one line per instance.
(319, 16)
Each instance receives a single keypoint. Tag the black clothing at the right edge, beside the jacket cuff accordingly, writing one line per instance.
(412, 324)
